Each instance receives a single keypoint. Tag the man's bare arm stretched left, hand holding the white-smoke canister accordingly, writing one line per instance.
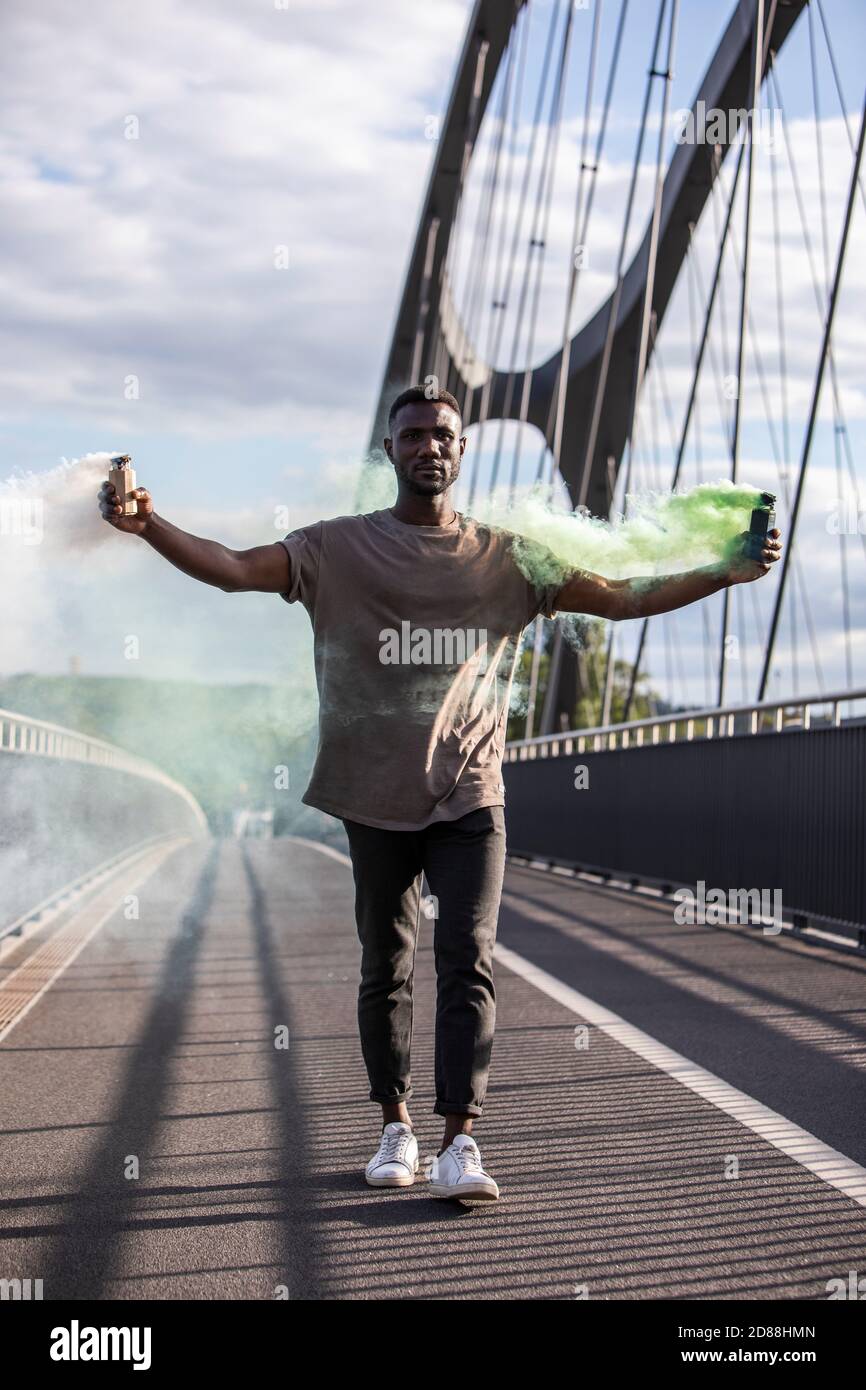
(265, 569)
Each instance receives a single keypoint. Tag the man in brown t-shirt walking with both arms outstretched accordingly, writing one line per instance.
(418, 614)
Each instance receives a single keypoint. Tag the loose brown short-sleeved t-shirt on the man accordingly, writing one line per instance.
(416, 639)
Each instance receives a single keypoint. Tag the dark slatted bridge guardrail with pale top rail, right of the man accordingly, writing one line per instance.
(782, 808)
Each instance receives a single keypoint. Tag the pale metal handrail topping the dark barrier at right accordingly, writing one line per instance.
(687, 726)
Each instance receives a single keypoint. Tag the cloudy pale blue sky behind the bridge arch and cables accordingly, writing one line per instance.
(208, 212)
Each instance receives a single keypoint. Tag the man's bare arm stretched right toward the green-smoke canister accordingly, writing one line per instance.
(587, 593)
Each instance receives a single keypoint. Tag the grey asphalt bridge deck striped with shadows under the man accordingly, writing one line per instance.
(158, 1042)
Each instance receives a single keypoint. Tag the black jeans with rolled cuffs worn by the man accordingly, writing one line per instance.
(464, 862)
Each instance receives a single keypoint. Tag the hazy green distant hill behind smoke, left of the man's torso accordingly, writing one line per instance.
(222, 742)
